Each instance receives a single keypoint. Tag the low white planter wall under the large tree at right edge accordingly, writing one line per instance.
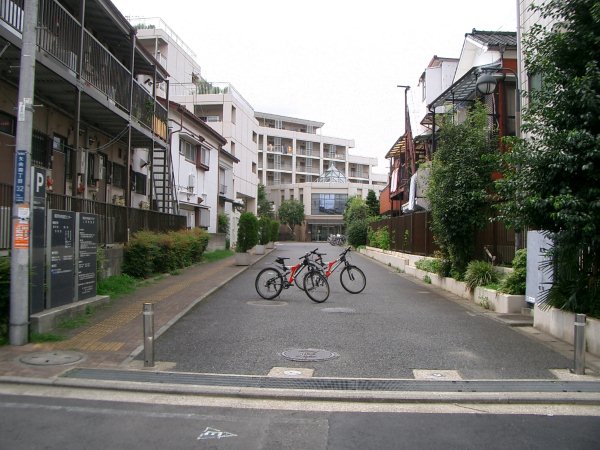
(560, 324)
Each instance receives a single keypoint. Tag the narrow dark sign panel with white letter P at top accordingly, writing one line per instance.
(38, 232)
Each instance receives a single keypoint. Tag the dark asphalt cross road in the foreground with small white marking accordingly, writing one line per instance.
(61, 423)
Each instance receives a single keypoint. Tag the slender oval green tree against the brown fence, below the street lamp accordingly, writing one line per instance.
(460, 185)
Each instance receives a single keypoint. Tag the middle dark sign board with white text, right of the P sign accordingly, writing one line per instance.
(61, 258)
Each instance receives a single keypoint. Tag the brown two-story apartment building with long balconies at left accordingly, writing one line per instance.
(96, 128)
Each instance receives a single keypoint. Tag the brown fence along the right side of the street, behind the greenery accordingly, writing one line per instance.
(411, 233)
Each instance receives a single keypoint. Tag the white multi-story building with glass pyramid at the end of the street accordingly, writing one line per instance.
(296, 162)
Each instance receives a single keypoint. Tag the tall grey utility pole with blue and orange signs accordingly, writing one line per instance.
(19, 267)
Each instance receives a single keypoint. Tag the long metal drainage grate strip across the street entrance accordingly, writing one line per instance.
(342, 384)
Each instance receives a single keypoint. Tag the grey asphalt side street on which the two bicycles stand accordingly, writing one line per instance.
(395, 328)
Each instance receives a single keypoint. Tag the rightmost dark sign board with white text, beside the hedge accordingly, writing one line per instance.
(87, 239)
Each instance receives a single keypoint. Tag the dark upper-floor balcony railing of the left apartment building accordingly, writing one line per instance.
(59, 35)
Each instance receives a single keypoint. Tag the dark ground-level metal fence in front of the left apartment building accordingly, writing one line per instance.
(112, 218)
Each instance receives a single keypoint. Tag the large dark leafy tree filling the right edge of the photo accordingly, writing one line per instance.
(552, 179)
